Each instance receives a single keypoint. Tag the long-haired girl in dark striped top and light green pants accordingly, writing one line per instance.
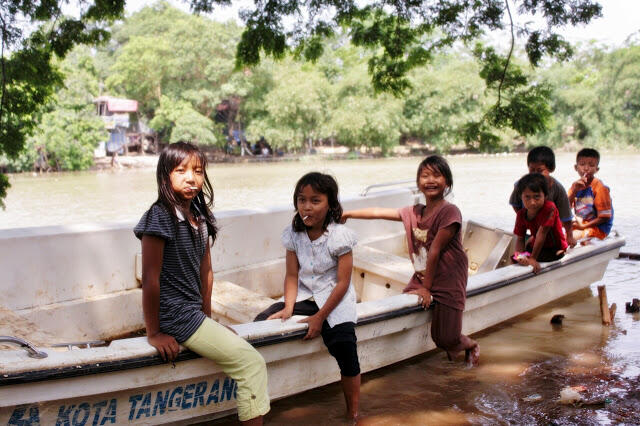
(177, 278)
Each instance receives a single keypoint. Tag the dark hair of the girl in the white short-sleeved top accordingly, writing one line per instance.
(324, 184)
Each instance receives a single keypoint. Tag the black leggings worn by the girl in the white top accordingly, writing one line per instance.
(339, 340)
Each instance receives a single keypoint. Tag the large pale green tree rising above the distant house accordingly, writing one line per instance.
(162, 51)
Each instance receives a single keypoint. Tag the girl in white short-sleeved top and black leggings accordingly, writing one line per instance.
(318, 277)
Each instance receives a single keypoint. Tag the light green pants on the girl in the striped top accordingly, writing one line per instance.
(239, 360)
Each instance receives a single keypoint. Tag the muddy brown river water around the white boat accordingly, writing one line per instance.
(524, 362)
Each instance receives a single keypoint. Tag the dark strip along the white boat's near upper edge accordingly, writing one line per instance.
(152, 360)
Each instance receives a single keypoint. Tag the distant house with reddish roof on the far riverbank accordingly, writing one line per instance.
(120, 117)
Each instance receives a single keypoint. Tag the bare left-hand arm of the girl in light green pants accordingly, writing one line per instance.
(152, 250)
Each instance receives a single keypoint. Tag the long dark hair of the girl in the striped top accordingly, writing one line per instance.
(201, 205)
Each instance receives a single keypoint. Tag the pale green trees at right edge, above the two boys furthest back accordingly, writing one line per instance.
(594, 99)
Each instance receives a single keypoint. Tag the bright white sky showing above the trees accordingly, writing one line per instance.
(620, 18)
